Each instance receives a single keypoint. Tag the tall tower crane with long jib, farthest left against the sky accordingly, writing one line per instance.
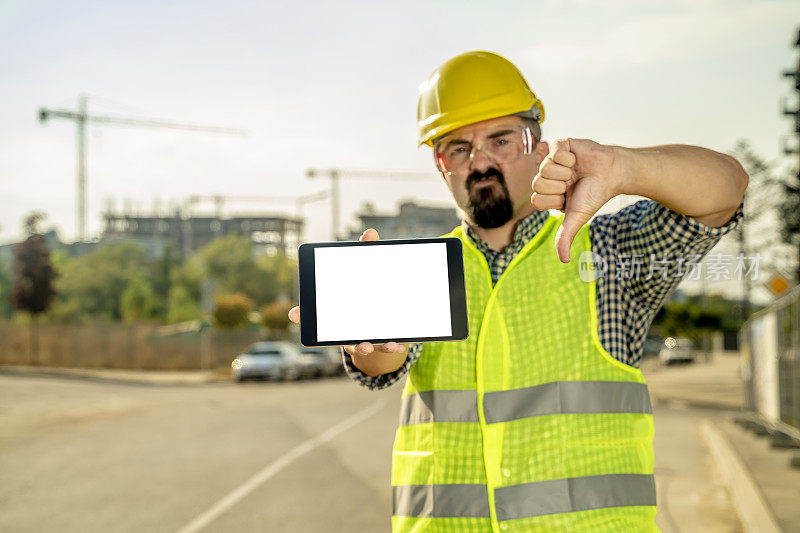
(81, 117)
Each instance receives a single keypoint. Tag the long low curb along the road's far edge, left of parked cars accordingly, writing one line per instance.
(129, 377)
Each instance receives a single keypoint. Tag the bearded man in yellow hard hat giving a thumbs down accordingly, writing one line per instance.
(541, 420)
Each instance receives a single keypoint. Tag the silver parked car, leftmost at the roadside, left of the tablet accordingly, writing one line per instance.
(278, 360)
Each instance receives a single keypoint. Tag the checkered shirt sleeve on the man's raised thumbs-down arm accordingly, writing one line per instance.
(664, 243)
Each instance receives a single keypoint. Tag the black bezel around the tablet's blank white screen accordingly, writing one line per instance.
(308, 303)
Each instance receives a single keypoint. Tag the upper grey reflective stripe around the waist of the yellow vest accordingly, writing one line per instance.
(557, 398)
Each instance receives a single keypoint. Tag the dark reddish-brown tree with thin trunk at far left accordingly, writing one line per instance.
(32, 289)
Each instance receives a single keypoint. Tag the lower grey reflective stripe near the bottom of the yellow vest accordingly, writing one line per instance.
(527, 499)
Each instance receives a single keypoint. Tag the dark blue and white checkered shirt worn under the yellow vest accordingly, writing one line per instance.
(626, 302)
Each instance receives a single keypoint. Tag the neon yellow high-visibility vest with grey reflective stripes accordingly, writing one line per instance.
(529, 424)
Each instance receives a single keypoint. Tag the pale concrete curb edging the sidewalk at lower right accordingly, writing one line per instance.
(753, 510)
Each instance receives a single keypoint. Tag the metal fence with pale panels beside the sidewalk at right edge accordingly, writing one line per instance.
(770, 348)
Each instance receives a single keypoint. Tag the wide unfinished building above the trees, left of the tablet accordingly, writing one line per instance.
(269, 233)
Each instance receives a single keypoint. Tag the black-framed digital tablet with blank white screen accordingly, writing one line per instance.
(403, 290)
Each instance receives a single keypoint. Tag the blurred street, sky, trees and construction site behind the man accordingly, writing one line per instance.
(161, 162)
